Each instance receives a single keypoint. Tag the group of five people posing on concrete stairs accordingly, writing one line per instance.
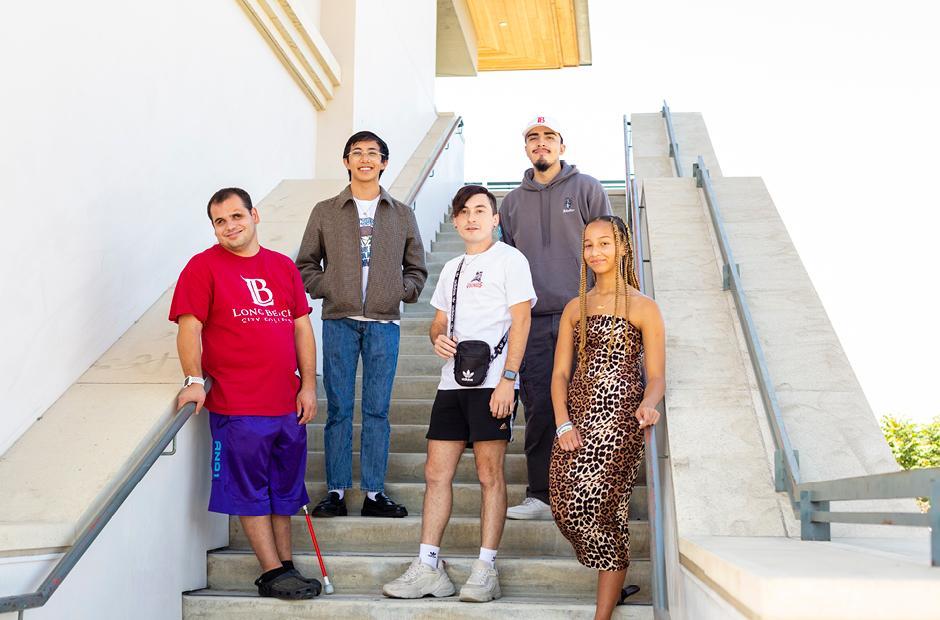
(549, 313)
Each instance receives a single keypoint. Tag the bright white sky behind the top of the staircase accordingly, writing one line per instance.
(835, 104)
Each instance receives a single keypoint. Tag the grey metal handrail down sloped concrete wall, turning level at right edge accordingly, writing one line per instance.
(812, 498)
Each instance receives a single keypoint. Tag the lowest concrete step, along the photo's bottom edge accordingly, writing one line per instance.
(228, 605)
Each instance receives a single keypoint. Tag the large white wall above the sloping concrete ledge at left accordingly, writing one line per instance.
(118, 120)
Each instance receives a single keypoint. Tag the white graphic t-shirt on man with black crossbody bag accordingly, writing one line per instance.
(490, 282)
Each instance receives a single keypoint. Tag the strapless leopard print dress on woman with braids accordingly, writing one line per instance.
(590, 487)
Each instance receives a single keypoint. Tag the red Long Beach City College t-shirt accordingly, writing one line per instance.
(247, 306)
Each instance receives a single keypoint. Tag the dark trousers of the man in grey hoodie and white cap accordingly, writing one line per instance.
(535, 384)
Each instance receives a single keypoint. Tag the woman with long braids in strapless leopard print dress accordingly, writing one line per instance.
(614, 332)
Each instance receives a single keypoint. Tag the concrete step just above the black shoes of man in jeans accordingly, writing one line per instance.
(409, 467)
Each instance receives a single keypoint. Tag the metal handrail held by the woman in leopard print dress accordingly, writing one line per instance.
(651, 434)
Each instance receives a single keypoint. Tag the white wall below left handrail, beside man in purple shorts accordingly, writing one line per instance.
(153, 549)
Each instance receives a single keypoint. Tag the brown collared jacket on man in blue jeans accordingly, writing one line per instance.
(330, 263)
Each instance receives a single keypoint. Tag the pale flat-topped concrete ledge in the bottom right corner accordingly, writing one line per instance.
(776, 578)
